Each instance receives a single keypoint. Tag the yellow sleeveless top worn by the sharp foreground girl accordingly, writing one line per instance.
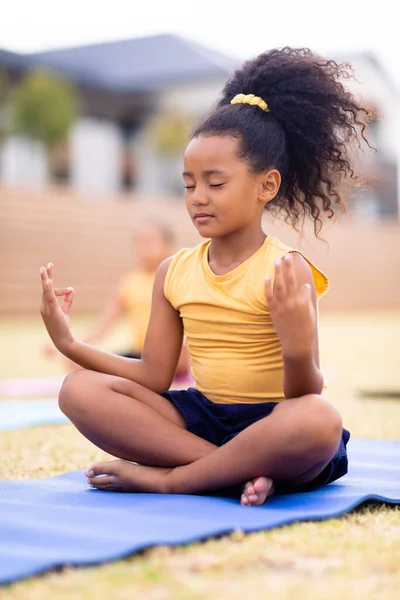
(235, 352)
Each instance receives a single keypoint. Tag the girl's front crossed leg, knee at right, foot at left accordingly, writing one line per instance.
(294, 443)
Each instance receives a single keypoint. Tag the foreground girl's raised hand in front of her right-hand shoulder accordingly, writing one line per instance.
(292, 310)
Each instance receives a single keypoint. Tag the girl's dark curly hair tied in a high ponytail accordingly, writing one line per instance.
(307, 134)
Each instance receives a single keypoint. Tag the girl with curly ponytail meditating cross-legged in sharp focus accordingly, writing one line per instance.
(246, 302)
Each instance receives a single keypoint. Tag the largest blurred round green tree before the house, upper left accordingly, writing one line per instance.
(44, 107)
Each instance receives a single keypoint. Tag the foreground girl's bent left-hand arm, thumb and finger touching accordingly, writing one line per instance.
(156, 368)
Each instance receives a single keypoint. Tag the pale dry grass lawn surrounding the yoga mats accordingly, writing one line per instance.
(356, 555)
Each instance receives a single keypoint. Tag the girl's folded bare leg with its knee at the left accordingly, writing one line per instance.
(129, 421)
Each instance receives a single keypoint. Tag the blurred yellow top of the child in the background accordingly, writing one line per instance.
(135, 292)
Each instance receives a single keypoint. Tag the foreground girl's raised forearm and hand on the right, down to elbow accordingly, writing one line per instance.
(293, 307)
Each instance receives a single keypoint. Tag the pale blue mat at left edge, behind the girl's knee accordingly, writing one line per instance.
(18, 414)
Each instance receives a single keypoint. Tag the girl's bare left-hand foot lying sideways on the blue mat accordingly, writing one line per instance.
(124, 476)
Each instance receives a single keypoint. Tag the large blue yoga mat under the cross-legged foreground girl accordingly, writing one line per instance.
(61, 521)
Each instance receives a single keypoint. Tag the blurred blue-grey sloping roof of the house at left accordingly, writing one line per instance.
(137, 65)
